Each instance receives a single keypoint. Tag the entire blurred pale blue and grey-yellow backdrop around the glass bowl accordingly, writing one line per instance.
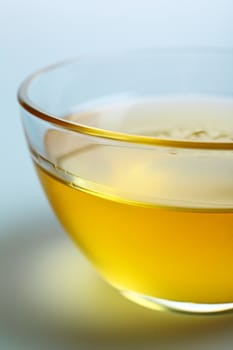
(35, 255)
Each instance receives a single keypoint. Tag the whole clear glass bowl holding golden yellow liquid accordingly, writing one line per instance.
(134, 153)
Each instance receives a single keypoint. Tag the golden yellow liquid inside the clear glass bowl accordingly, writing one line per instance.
(155, 222)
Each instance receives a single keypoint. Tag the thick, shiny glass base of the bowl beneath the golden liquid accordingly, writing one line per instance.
(177, 306)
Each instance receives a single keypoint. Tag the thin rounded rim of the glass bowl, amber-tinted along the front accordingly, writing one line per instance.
(27, 104)
